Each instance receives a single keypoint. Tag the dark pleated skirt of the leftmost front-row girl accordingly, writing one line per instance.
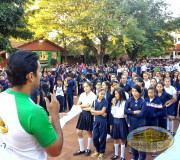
(85, 121)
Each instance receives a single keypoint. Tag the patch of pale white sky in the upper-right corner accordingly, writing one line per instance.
(174, 6)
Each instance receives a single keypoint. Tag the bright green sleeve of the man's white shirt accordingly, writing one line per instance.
(35, 121)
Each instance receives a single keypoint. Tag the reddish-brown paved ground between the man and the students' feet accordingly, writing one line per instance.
(71, 144)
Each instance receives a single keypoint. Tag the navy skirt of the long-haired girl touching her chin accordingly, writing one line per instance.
(120, 129)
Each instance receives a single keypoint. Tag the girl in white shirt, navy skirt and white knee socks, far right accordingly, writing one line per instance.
(171, 109)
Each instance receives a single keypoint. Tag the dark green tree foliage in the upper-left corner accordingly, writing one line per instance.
(12, 22)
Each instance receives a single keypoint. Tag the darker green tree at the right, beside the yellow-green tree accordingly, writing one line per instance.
(149, 34)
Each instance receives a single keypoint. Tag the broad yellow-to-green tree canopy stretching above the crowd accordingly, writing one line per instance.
(135, 27)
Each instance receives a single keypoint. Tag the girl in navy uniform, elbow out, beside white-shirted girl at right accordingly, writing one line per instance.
(166, 100)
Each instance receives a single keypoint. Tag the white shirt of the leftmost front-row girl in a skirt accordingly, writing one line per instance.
(87, 98)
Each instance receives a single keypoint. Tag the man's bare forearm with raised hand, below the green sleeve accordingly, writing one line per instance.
(55, 149)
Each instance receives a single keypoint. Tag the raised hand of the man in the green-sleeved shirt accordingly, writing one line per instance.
(53, 106)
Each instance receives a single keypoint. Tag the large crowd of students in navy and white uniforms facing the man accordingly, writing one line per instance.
(115, 100)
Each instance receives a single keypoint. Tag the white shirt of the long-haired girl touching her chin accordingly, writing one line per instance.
(118, 110)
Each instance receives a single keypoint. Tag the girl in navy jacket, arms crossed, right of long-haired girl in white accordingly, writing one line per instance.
(134, 109)
